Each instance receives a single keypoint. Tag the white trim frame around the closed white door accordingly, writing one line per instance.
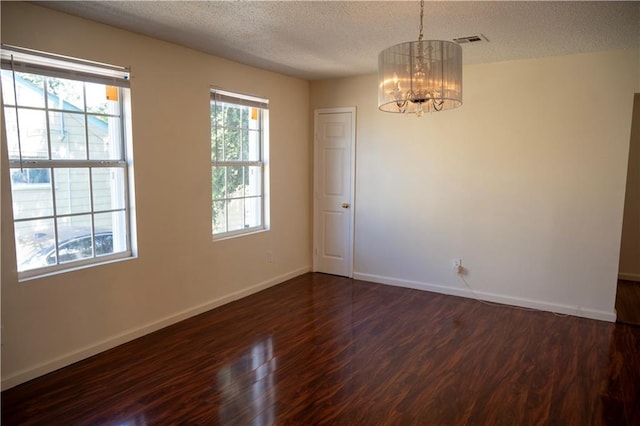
(352, 181)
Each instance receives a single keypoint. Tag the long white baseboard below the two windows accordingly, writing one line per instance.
(111, 342)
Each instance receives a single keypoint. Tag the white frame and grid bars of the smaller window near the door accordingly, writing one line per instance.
(262, 105)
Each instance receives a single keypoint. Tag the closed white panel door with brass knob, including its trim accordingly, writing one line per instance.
(334, 157)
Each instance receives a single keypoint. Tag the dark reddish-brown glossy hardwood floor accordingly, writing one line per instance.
(320, 349)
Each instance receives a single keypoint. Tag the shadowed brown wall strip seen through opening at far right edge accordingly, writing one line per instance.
(630, 247)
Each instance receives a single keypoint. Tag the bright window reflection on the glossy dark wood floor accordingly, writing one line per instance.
(247, 386)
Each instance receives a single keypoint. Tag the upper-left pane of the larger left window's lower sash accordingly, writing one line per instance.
(31, 193)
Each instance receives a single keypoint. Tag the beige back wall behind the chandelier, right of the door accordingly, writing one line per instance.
(525, 182)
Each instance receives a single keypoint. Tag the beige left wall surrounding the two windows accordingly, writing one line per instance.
(50, 322)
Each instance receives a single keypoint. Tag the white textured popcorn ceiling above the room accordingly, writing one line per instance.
(318, 39)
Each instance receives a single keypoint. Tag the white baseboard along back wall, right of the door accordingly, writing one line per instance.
(492, 297)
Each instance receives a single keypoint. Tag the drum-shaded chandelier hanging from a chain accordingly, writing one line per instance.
(420, 76)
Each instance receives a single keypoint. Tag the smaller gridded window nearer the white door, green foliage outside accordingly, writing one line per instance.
(239, 174)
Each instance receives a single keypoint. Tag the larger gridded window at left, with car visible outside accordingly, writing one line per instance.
(67, 125)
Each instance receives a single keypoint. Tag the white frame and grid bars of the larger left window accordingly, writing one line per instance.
(47, 65)
